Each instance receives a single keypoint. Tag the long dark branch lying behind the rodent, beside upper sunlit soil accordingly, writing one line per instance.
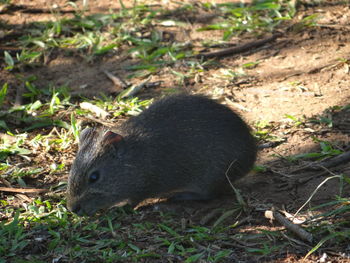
(239, 49)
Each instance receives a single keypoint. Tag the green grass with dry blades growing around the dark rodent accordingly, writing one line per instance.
(40, 124)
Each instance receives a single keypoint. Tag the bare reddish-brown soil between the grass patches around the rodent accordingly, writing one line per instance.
(302, 74)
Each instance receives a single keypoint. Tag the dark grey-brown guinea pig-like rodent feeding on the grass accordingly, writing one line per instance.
(180, 147)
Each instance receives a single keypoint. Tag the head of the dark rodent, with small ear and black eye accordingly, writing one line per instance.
(96, 177)
